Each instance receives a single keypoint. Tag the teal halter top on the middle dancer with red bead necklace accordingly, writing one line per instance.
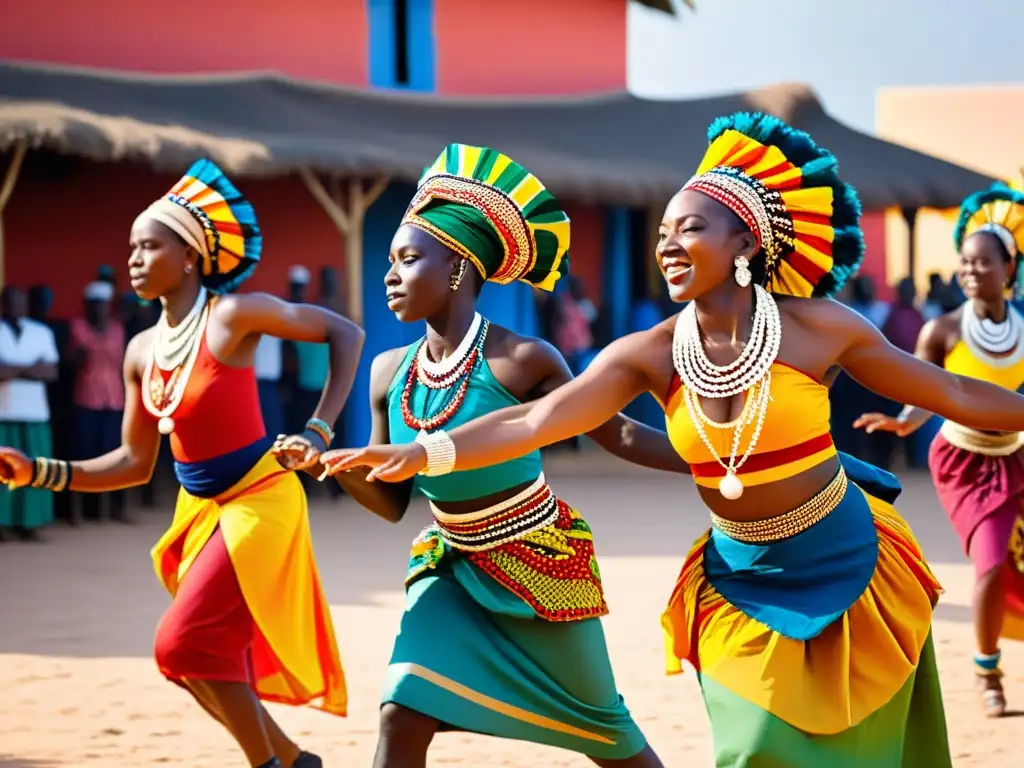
(485, 396)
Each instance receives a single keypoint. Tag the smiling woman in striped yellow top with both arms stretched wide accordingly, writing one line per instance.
(807, 608)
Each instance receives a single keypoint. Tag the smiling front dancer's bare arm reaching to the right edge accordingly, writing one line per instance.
(870, 359)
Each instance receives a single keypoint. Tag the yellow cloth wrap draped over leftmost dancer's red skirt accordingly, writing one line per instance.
(266, 526)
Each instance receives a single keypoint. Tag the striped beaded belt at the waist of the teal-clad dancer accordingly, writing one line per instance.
(530, 510)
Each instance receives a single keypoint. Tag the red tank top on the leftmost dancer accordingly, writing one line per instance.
(220, 412)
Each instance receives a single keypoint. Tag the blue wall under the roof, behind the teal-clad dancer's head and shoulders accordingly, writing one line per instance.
(511, 307)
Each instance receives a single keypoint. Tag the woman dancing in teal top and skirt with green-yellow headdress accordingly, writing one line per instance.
(503, 551)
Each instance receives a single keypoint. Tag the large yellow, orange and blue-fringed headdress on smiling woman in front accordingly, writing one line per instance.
(788, 192)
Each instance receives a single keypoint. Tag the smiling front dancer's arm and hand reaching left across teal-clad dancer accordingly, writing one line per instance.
(616, 377)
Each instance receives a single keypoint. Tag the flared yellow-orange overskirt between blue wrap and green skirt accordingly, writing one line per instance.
(794, 679)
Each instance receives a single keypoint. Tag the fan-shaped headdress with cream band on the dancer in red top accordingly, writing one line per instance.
(206, 210)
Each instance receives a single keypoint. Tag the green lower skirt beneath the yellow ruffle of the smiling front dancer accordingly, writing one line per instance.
(909, 733)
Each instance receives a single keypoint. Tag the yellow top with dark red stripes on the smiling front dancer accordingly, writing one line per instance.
(795, 437)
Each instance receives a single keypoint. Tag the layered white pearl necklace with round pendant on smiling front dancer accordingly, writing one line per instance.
(749, 373)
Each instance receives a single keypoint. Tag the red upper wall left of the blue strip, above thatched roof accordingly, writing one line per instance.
(313, 39)
